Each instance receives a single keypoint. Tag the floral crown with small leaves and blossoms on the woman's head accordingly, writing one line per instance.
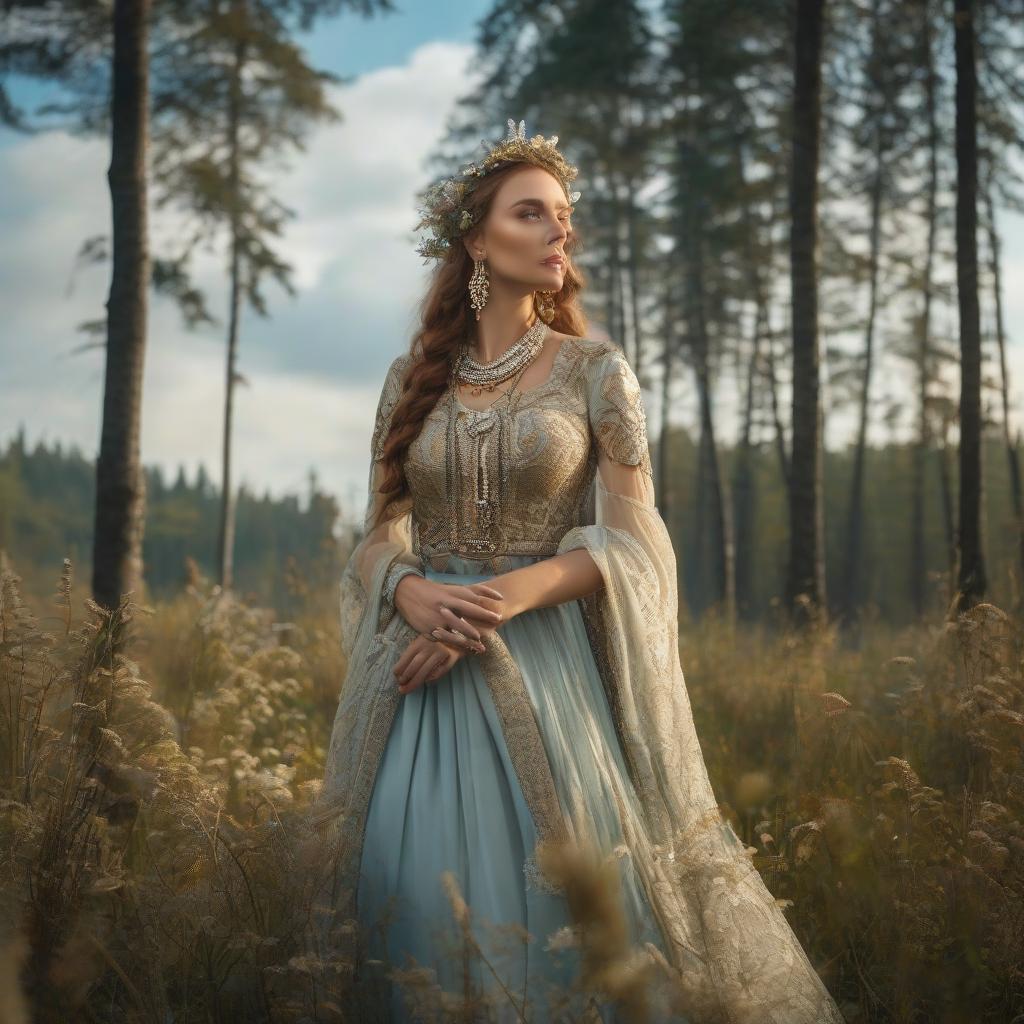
(442, 210)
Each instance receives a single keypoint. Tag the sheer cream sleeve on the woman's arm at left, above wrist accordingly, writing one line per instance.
(383, 545)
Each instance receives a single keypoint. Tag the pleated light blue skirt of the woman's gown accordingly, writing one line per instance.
(447, 798)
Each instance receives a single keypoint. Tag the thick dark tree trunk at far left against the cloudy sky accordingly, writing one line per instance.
(120, 509)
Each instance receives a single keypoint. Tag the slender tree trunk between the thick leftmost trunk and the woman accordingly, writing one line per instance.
(226, 540)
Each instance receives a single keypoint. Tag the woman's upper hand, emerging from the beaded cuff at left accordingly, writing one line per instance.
(459, 615)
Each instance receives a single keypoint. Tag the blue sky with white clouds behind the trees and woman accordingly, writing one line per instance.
(315, 369)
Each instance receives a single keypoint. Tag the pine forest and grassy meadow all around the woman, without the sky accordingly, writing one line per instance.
(795, 228)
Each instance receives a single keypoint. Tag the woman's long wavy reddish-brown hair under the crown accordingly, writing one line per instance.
(446, 321)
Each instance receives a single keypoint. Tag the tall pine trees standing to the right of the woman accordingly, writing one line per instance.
(695, 127)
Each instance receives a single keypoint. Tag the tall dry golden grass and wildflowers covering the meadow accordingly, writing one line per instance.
(155, 767)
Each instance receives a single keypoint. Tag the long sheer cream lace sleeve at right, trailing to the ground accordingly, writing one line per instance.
(733, 955)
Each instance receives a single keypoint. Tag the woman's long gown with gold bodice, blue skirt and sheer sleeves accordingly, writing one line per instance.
(574, 727)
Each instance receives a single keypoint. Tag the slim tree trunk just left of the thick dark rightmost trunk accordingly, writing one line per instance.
(918, 569)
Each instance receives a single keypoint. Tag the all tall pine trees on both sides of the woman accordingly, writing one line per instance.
(792, 214)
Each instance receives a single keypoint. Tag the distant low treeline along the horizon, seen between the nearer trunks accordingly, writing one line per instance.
(285, 550)
